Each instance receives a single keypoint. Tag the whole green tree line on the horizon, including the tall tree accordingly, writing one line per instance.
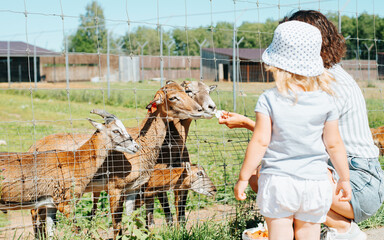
(92, 33)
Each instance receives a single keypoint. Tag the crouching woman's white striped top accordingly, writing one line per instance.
(353, 119)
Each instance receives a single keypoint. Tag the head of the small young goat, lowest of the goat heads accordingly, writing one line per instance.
(200, 182)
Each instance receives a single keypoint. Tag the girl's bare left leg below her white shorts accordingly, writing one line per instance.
(280, 228)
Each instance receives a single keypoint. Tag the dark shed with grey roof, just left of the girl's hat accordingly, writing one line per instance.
(218, 65)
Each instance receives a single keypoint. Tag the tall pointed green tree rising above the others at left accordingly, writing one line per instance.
(91, 35)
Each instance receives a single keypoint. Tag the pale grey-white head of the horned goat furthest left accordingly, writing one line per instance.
(113, 129)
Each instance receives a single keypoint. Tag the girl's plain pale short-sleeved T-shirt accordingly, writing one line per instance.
(296, 147)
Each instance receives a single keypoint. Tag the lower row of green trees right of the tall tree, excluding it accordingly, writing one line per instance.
(256, 35)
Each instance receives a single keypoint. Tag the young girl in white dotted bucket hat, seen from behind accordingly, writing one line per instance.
(296, 128)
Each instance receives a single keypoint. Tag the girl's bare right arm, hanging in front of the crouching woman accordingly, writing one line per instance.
(336, 150)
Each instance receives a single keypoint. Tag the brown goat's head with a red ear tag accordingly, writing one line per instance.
(172, 102)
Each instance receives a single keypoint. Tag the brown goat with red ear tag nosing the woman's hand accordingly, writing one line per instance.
(123, 174)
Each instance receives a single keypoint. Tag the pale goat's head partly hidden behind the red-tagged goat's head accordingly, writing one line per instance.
(199, 92)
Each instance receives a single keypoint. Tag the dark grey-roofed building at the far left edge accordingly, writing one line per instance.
(17, 61)
